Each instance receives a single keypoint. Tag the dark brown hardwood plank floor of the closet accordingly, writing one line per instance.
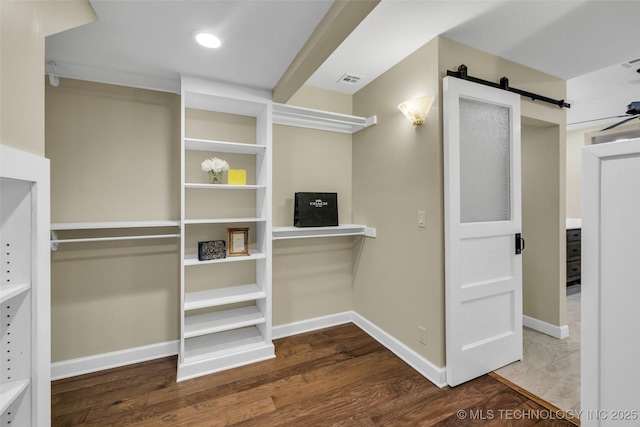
(338, 376)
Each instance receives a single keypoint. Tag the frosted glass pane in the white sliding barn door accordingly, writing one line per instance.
(485, 166)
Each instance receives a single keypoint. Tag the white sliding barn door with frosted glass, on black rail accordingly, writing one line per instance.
(483, 273)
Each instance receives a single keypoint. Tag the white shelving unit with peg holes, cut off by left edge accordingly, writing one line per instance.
(25, 295)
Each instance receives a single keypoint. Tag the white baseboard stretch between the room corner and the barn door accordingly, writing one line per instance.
(427, 369)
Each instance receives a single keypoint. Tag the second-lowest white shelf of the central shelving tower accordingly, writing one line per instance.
(220, 321)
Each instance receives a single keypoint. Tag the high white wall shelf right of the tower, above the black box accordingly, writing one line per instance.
(291, 115)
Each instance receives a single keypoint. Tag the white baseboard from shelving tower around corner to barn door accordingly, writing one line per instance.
(427, 369)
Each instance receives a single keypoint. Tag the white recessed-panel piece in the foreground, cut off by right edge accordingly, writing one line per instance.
(610, 284)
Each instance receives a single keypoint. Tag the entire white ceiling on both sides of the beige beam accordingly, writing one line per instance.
(148, 43)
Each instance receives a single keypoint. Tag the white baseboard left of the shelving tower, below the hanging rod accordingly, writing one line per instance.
(99, 362)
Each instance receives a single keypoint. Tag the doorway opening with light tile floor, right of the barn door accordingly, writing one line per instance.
(550, 368)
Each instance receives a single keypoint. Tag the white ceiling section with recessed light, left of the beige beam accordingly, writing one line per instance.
(148, 43)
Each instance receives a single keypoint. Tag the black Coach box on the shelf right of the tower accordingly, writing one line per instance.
(315, 210)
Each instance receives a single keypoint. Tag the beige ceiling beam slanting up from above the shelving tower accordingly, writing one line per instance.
(341, 19)
